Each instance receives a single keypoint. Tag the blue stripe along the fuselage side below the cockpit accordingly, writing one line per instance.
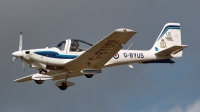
(53, 54)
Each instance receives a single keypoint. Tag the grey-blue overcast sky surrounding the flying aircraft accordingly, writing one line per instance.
(145, 88)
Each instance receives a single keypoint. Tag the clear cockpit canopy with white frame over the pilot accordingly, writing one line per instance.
(73, 45)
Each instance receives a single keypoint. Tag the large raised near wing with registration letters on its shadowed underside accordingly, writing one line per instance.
(102, 51)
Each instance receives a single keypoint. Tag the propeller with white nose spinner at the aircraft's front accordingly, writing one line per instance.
(19, 54)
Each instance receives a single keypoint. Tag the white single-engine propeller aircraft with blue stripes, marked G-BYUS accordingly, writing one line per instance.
(73, 57)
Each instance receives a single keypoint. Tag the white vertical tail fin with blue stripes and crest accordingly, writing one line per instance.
(169, 37)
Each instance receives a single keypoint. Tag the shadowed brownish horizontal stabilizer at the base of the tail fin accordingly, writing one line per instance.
(172, 50)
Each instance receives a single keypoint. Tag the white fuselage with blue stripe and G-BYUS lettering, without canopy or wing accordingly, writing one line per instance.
(40, 58)
